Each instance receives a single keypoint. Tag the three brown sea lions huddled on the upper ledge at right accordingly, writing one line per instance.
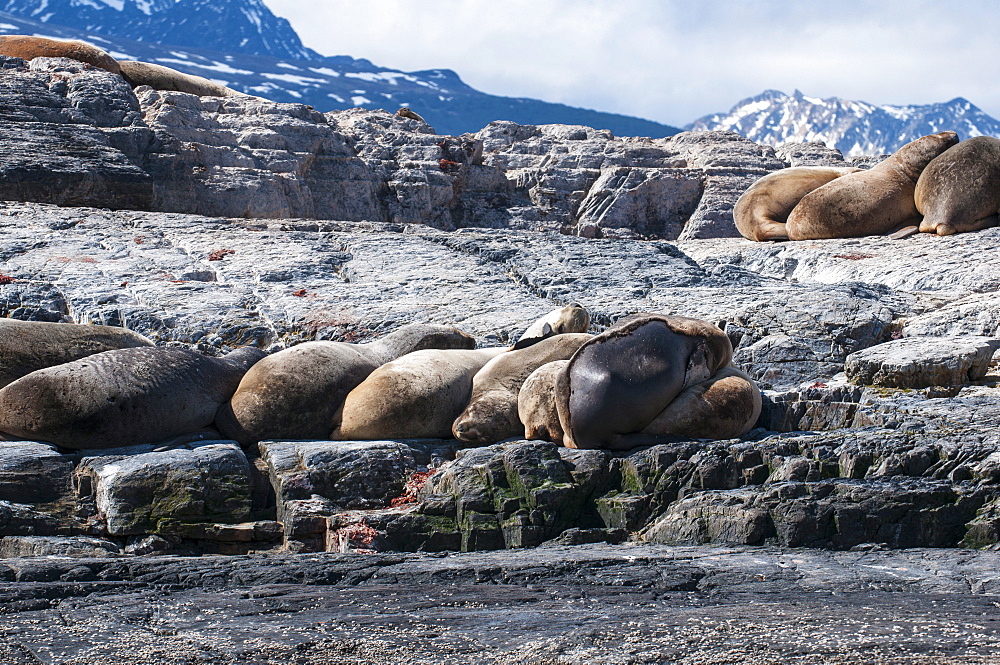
(935, 184)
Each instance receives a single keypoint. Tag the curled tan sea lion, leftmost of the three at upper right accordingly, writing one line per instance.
(760, 214)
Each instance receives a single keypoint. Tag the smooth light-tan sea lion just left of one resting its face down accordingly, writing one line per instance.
(414, 397)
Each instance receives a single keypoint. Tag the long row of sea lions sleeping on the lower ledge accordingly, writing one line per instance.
(647, 377)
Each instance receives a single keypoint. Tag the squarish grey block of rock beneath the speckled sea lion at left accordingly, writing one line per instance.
(149, 492)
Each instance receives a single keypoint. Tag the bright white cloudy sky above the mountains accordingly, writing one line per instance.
(674, 60)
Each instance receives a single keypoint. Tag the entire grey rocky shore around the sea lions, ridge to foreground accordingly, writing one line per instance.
(214, 224)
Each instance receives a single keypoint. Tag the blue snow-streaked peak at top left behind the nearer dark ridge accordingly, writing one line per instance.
(233, 26)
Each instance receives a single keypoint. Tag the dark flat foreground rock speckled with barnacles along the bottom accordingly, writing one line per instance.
(593, 604)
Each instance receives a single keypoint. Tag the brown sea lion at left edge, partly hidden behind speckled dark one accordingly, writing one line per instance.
(27, 346)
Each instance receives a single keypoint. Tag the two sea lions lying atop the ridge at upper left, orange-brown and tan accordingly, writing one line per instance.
(134, 72)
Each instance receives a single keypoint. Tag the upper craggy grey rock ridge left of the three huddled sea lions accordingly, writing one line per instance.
(74, 135)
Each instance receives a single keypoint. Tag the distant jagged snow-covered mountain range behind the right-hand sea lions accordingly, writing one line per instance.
(854, 128)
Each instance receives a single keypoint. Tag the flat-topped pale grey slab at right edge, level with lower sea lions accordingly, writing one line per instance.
(921, 362)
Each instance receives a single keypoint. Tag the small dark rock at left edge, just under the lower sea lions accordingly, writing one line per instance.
(33, 472)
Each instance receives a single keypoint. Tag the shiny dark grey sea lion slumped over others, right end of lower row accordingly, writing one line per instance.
(616, 384)
